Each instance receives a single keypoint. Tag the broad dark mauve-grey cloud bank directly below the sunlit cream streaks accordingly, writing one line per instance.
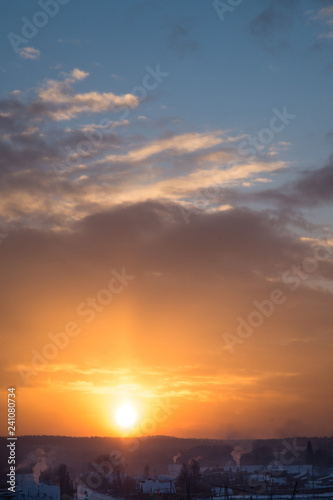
(153, 236)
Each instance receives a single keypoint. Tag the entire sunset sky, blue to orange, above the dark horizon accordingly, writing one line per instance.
(166, 217)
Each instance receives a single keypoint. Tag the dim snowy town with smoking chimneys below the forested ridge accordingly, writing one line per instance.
(254, 471)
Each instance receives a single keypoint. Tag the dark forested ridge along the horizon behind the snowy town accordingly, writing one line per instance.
(158, 452)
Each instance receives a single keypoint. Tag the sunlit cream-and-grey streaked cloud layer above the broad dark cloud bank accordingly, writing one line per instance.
(95, 155)
